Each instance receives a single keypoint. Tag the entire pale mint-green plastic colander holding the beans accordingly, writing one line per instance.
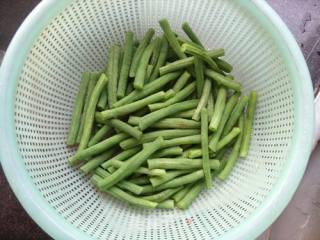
(39, 79)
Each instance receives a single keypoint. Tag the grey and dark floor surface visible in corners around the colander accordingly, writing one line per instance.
(300, 220)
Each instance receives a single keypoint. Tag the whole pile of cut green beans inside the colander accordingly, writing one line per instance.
(161, 121)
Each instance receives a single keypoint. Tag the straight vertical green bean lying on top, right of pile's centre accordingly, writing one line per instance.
(206, 165)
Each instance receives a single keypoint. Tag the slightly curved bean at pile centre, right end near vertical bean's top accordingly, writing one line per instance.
(155, 116)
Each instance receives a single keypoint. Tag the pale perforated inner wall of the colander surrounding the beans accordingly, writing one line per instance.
(77, 39)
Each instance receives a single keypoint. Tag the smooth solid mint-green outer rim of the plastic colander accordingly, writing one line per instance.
(58, 227)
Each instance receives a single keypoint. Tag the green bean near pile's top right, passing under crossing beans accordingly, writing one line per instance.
(187, 62)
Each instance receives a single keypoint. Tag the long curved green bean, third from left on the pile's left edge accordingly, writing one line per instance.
(89, 118)
